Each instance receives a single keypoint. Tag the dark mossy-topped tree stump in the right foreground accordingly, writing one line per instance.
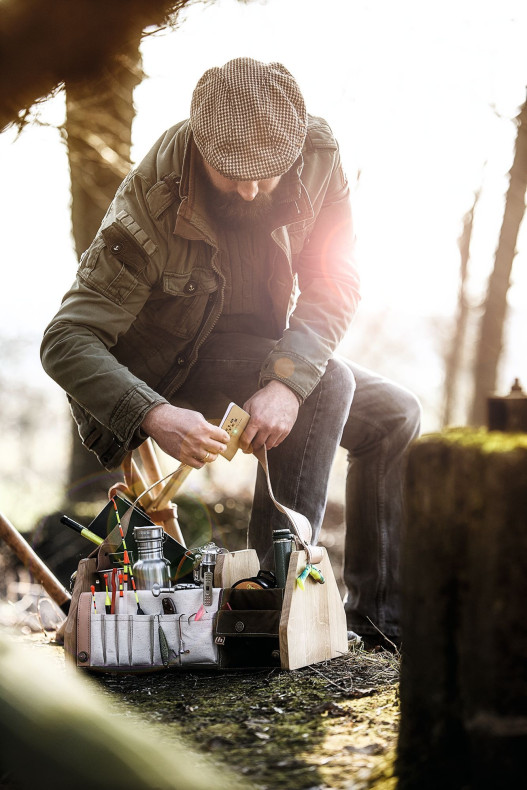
(464, 572)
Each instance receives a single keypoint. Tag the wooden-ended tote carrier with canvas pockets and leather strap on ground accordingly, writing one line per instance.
(290, 627)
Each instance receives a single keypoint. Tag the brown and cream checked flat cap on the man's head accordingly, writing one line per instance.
(249, 119)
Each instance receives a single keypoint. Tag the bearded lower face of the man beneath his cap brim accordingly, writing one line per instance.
(237, 203)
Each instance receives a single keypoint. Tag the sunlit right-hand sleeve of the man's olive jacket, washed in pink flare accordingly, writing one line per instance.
(329, 294)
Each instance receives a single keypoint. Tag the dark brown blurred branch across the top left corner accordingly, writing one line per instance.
(44, 44)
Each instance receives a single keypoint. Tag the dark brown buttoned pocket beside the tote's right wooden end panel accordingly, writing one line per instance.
(247, 628)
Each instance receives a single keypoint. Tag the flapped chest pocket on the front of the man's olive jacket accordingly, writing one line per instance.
(179, 306)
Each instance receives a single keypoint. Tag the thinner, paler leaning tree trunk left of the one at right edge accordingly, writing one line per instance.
(454, 358)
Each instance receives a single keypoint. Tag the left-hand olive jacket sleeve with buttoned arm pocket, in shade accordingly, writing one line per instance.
(114, 280)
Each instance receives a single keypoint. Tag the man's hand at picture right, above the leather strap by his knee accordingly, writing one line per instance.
(273, 411)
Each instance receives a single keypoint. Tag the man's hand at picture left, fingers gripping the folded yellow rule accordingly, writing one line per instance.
(185, 434)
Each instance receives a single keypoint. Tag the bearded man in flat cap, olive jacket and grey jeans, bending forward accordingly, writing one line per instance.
(223, 271)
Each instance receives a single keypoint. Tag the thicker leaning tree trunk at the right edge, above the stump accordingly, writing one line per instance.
(492, 323)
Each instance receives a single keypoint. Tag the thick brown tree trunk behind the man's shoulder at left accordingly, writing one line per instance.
(98, 132)
